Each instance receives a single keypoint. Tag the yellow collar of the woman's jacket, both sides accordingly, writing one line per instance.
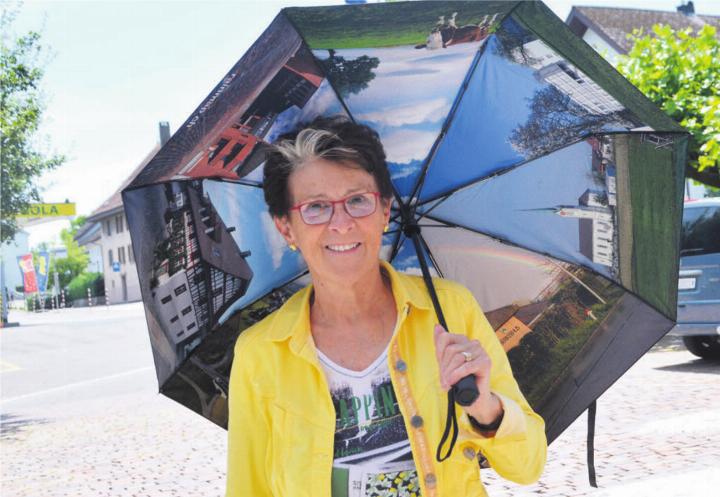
(293, 319)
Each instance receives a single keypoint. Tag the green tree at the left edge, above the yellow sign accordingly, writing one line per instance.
(21, 107)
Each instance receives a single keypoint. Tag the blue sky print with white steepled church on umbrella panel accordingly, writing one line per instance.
(563, 204)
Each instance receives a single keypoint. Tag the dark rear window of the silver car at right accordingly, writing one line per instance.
(700, 231)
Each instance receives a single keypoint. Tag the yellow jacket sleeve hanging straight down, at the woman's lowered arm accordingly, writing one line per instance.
(248, 430)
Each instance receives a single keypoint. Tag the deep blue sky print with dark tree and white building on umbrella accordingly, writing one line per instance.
(535, 103)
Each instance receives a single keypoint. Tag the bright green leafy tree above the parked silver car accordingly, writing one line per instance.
(680, 72)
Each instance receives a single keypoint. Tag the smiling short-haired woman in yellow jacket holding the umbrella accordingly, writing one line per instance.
(343, 390)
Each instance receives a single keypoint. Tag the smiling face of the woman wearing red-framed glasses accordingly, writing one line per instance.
(345, 249)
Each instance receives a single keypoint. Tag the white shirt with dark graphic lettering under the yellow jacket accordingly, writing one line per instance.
(372, 455)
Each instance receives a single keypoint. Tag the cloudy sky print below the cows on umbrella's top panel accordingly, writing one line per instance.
(406, 96)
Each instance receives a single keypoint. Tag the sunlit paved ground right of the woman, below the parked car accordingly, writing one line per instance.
(657, 434)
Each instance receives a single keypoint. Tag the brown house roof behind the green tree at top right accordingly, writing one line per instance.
(614, 24)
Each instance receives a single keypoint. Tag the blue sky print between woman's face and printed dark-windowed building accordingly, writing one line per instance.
(256, 233)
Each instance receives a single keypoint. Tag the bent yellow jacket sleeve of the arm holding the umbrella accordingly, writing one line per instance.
(518, 450)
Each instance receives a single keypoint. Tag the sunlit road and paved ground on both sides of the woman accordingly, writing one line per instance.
(81, 416)
